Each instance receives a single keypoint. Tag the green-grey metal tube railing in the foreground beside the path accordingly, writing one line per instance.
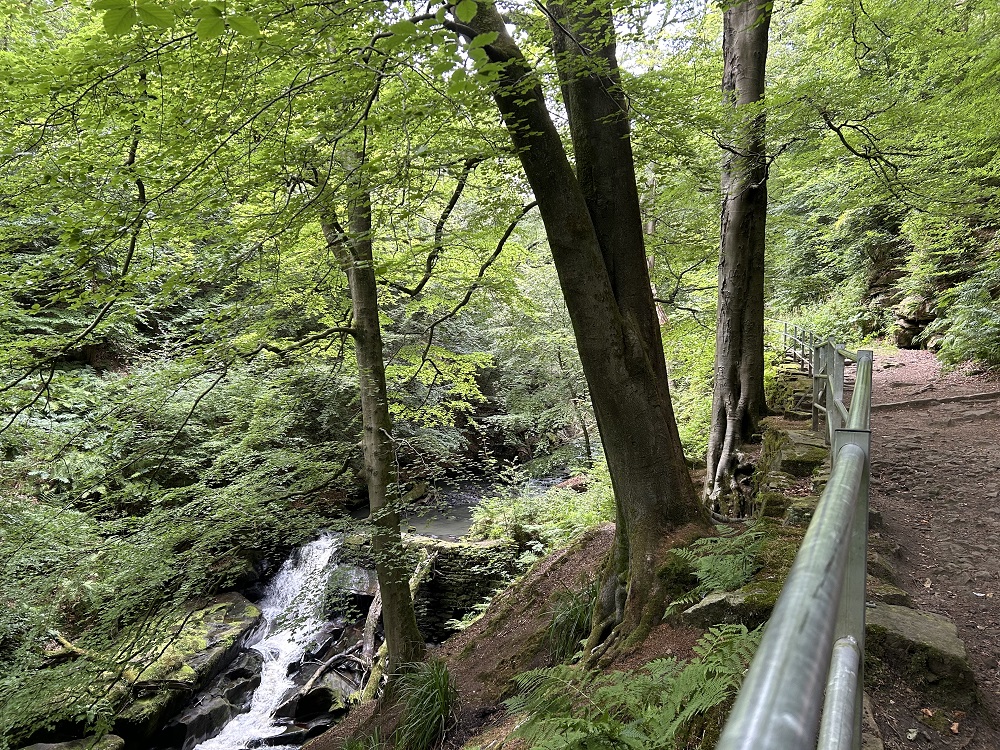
(806, 680)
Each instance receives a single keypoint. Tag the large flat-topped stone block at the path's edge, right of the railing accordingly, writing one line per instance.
(925, 648)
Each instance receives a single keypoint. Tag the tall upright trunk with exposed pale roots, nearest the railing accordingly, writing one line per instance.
(738, 396)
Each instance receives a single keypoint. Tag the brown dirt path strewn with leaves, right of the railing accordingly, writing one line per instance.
(936, 482)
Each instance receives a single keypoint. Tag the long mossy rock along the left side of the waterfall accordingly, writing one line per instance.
(211, 636)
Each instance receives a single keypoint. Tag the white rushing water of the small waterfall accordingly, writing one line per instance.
(291, 614)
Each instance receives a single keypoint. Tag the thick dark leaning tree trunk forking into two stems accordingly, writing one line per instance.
(594, 229)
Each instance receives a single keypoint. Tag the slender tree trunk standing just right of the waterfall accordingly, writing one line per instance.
(404, 644)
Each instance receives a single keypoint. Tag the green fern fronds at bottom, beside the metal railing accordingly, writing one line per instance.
(666, 704)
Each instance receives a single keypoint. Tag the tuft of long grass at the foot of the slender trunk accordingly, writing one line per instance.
(429, 696)
